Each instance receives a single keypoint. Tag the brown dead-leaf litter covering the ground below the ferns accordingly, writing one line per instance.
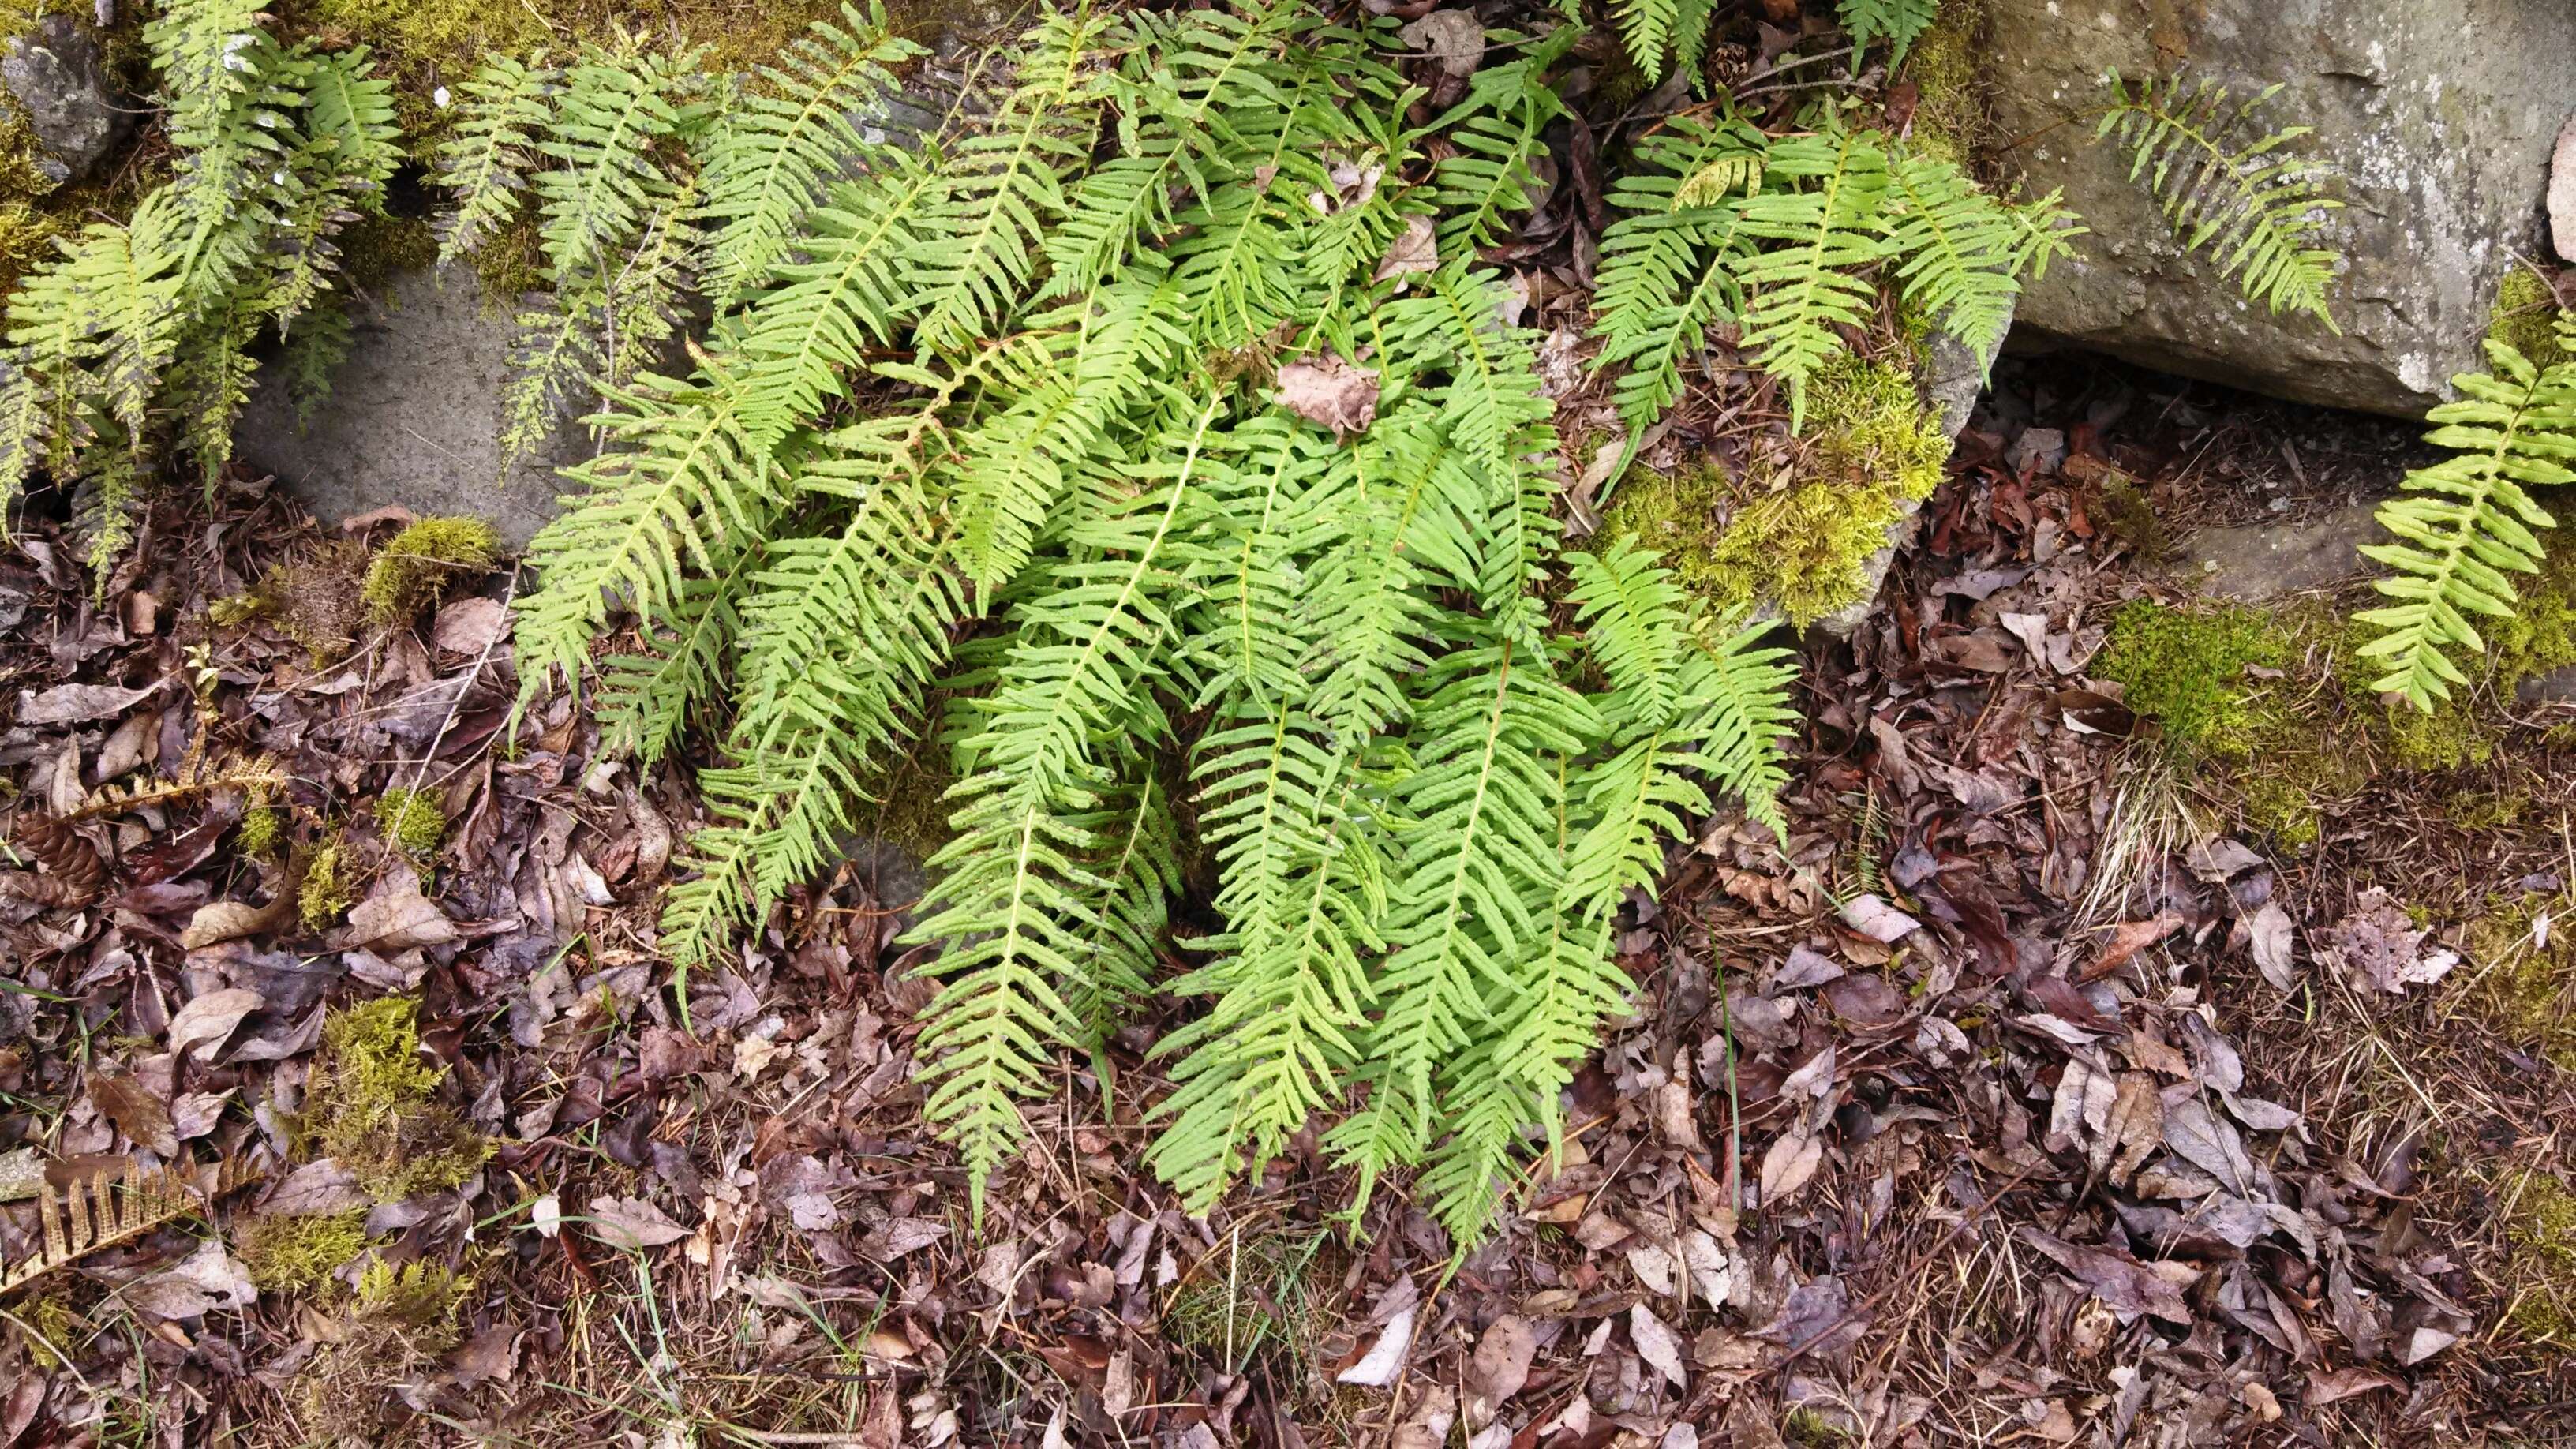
(2023, 1097)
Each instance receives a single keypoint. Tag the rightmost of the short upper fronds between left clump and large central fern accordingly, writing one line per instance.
(774, 153)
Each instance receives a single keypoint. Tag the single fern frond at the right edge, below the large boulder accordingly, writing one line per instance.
(2464, 525)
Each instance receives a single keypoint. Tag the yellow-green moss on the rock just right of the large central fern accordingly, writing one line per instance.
(1874, 450)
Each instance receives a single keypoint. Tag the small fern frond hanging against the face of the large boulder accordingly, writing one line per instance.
(2227, 187)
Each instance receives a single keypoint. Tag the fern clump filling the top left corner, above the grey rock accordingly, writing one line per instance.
(140, 336)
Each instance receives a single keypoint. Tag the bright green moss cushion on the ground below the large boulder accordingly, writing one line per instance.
(2188, 672)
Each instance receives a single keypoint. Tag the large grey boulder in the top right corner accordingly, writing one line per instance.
(2441, 115)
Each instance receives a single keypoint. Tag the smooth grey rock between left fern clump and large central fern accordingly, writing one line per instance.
(413, 416)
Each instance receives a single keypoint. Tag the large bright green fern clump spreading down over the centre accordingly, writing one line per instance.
(993, 447)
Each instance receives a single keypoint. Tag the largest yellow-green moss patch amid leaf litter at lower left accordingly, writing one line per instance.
(372, 1105)
